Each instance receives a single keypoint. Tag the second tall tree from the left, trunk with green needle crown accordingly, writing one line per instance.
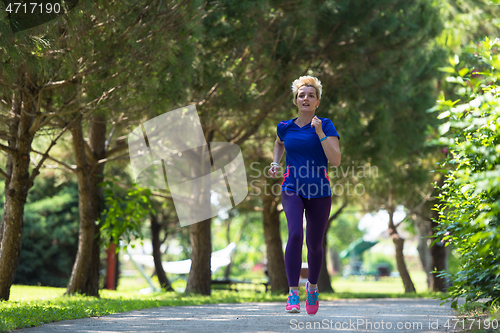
(140, 33)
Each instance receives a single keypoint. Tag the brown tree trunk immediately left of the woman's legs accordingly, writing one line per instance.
(275, 258)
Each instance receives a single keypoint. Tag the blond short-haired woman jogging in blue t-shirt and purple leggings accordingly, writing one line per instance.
(310, 143)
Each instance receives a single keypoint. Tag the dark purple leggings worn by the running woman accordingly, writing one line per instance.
(317, 213)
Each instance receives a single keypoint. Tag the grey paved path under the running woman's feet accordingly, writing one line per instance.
(348, 315)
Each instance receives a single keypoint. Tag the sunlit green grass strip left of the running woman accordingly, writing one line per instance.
(34, 306)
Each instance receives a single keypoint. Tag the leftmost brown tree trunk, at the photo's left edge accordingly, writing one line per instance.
(16, 185)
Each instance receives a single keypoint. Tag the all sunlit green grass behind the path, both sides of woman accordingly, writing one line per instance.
(33, 306)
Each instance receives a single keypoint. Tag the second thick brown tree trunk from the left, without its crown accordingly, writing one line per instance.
(81, 268)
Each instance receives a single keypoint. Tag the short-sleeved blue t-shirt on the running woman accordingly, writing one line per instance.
(306, 163)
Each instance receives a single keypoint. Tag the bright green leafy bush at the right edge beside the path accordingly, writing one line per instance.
(470, 199)
